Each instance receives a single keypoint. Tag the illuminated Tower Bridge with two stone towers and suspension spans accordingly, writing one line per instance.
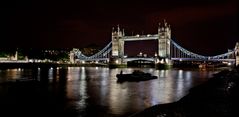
(168, 50)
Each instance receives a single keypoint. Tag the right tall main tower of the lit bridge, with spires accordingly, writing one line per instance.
(164, 33)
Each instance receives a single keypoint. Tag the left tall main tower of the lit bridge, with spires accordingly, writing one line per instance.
(117, 46)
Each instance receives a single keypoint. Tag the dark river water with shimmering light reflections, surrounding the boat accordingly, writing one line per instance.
(91, 91)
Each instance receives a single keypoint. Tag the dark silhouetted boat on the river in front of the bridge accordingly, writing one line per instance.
(136, 75)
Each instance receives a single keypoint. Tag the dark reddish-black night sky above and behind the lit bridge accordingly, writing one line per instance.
(206, 27)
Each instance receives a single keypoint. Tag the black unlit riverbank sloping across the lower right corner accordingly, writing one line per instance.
(218, 97)
